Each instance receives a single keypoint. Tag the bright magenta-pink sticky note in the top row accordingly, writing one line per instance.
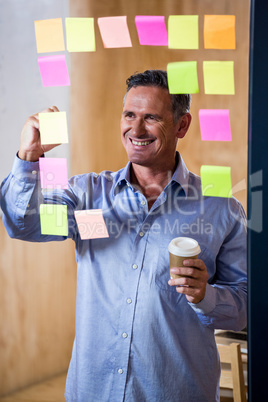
(151, 30)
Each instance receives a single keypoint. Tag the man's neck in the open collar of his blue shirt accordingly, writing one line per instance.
(151, 181)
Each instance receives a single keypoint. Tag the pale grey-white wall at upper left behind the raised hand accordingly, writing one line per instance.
(21, 90)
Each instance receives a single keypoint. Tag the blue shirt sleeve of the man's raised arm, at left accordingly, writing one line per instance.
(21, 196)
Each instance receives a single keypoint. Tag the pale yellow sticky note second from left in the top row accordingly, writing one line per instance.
(80, 34)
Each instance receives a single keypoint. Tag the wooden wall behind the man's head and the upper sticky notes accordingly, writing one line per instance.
(98, 86)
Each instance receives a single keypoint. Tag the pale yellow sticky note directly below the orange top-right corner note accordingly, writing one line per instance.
(219, 77)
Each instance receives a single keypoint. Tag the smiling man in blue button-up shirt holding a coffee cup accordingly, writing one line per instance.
(141, 336)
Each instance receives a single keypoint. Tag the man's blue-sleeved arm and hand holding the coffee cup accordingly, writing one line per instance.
(222, 303)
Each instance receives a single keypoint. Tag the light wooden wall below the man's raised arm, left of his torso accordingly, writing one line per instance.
(37, 310)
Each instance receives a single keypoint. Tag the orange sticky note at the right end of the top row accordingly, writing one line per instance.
(219, 31)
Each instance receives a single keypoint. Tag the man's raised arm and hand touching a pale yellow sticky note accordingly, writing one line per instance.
(21, 194)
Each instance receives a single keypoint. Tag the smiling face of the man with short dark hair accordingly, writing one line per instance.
(148, 131)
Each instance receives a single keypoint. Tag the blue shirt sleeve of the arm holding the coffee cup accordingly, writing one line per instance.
(225, 303)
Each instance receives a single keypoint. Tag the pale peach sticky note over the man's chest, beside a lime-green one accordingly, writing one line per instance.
(91, 224)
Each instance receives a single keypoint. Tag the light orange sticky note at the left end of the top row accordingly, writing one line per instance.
(49, 35)
